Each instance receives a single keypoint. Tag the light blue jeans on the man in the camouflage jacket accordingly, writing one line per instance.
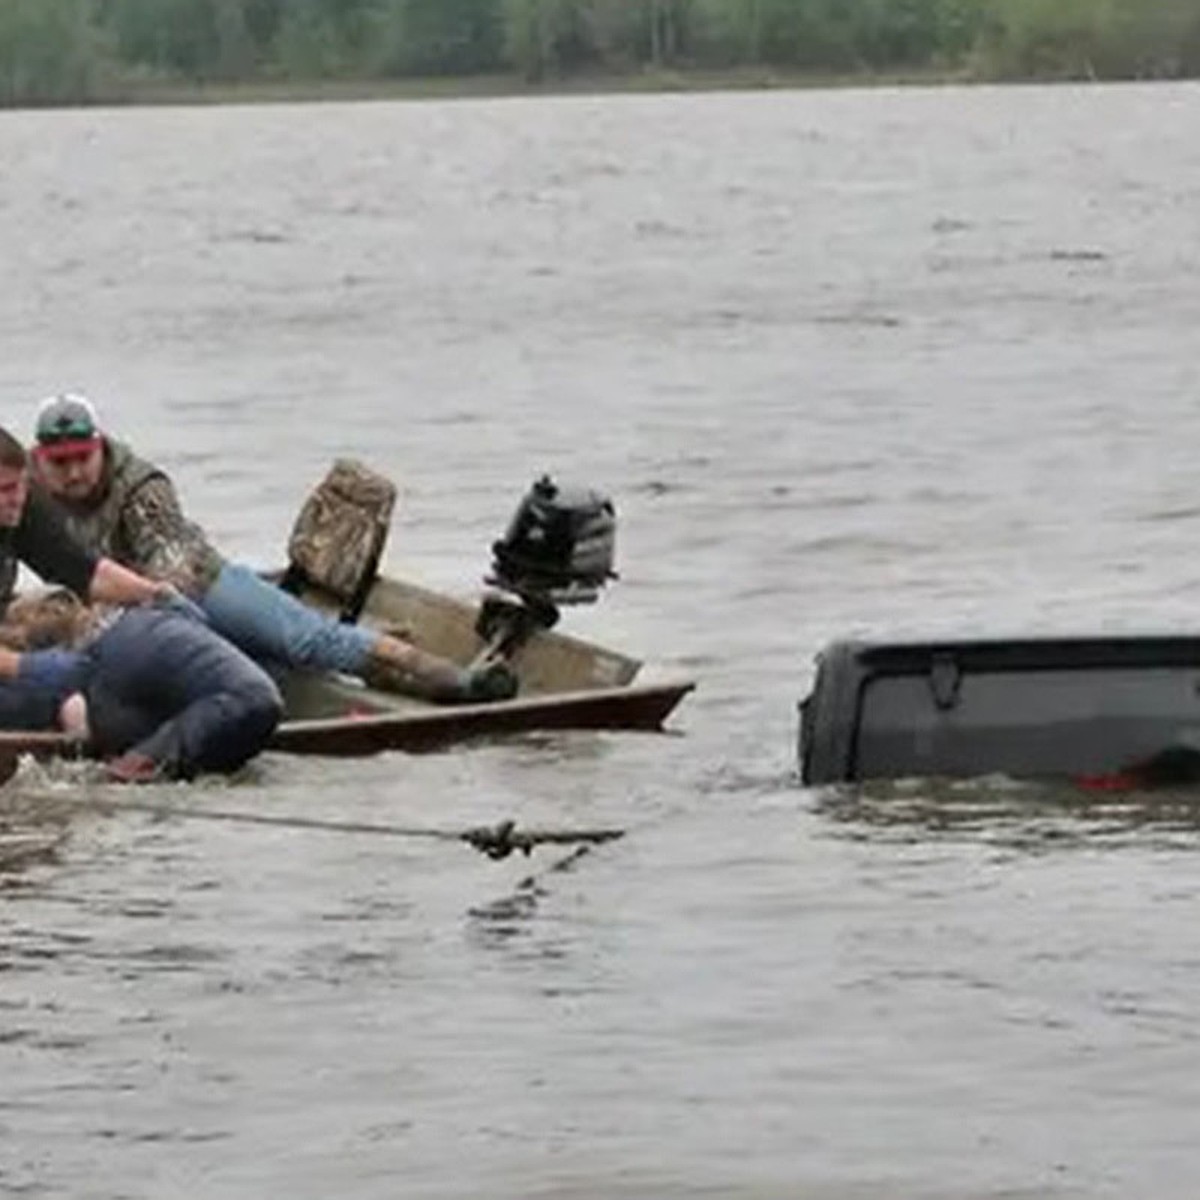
(275, 628)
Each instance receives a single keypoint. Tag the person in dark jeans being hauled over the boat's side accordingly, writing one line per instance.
(152, 689)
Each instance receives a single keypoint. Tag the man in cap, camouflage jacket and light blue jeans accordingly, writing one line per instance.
(118, 505)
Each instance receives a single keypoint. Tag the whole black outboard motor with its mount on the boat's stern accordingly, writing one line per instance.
(557, 550)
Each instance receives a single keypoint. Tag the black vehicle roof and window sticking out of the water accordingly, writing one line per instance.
(1100, 711)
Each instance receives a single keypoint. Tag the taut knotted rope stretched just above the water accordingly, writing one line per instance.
(496, 842)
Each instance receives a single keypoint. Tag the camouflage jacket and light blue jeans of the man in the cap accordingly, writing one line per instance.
(139, 521)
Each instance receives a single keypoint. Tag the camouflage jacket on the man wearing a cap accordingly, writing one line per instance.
(137, 520)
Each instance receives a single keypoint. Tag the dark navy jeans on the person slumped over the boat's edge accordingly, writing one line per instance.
(164, 685)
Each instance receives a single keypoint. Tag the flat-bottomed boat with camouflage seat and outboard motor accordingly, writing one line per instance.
(557, 551)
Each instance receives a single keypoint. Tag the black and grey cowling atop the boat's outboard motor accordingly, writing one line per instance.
(560, 544)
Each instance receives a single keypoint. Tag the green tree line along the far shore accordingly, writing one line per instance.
(81, 51)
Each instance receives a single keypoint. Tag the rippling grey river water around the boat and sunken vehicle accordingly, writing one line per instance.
(867, 363)
